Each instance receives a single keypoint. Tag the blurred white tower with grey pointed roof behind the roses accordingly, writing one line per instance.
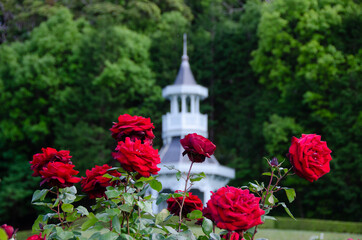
(184, 118)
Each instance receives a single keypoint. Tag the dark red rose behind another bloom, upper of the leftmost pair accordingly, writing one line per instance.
(40, 160)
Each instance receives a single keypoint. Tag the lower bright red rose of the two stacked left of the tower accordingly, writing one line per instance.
(137, 157)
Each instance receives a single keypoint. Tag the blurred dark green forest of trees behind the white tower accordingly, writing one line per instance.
(274, 69)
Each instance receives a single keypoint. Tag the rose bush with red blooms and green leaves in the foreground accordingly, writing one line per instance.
(123, 209)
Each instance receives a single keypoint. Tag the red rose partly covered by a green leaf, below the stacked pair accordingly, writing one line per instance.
(95, 184)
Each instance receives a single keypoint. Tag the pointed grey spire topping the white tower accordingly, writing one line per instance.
(185, 76)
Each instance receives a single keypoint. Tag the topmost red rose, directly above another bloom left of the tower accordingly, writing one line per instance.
(135, 127)
